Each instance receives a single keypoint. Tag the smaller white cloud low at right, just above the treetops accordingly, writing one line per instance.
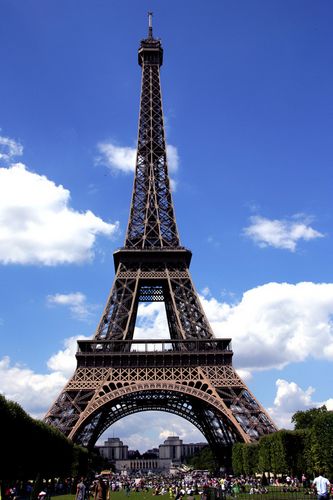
(291, 398)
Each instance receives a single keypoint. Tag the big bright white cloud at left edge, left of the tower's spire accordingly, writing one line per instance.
(37, 224)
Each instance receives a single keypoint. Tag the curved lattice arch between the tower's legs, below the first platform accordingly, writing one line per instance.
(194, 404)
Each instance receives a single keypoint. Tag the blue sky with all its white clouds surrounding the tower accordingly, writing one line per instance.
(247, 94)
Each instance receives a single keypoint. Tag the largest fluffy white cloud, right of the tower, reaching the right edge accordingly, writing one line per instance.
(276, 324)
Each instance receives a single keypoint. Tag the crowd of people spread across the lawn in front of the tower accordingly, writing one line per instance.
(180, 487)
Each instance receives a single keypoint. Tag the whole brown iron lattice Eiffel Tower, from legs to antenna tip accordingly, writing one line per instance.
(189, 373)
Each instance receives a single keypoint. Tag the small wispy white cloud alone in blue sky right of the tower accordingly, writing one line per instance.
(283, 233)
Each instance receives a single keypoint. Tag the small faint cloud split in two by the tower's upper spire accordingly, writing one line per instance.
(122, 158)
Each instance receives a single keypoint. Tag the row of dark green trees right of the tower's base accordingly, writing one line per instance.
(306, 450)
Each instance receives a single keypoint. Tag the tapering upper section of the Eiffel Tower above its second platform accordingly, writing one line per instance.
(152, 222)
